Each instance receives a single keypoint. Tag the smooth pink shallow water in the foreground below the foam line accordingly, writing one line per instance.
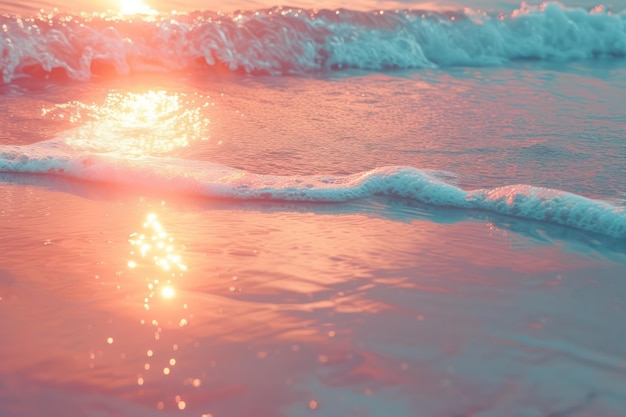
(363, 308)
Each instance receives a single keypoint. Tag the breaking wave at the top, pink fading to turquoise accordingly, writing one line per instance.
(282, 41)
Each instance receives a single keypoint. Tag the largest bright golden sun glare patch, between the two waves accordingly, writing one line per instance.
(136, 124)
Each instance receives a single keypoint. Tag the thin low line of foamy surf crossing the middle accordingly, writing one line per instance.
(219, 181)
